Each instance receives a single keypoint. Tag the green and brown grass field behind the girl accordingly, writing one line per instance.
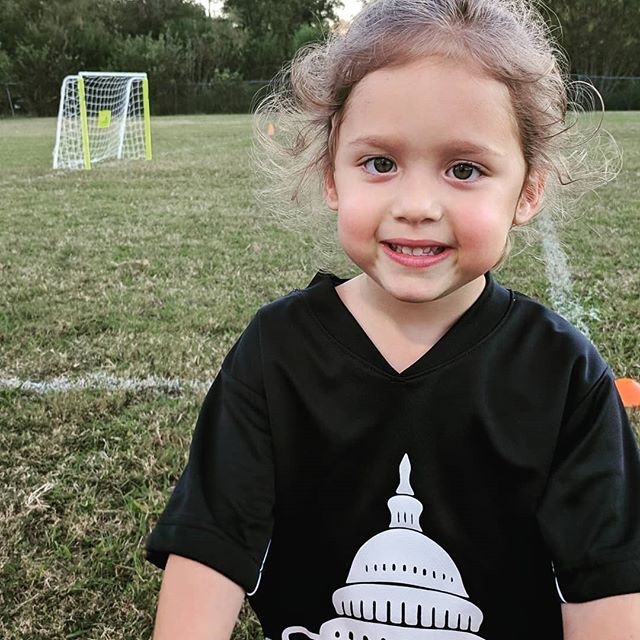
(152, 269)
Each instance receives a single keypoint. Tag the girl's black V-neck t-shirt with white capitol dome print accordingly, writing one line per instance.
(463, 498)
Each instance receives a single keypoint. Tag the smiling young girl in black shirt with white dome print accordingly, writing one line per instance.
(415, 453)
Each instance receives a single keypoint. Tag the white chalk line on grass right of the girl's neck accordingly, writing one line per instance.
(559, 277)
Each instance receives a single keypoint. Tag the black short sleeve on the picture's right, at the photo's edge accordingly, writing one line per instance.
(589, 515)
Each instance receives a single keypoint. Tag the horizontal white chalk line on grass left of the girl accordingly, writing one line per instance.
(103, 382)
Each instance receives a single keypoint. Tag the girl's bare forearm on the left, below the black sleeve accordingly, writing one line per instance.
(196, 602)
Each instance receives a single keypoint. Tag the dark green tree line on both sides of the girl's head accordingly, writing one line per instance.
(179, 45)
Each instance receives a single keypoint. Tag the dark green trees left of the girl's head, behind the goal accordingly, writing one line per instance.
(174, 41)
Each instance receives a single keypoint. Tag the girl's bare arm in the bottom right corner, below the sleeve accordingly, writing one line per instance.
(615, 618)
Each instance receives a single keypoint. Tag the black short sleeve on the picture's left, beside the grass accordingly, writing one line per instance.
(221, 511)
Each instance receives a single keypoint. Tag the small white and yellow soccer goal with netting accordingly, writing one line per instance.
(102, 116)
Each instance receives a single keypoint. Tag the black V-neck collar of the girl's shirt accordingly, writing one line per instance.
(474, 325)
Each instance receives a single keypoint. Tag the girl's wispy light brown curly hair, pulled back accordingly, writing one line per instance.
(298, 123)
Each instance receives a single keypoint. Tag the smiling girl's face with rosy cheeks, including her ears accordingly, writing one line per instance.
(428, 178)
